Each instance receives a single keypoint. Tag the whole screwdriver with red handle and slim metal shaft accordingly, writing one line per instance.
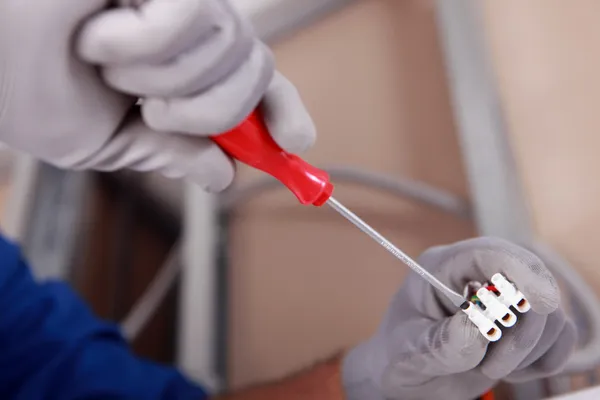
(250, 143)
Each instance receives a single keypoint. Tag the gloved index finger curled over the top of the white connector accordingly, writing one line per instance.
(479, 259)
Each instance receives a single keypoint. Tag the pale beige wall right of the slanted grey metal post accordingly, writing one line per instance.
(547, 57)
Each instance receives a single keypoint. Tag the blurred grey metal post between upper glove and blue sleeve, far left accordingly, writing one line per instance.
(43, 213)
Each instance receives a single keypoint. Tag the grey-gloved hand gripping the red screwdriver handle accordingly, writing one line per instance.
(196, 63)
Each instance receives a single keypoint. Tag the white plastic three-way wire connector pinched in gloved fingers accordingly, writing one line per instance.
(490, 304)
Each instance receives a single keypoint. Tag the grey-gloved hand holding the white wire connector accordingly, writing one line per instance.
(426, 349)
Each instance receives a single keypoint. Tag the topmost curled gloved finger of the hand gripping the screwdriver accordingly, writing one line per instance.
(152, 33)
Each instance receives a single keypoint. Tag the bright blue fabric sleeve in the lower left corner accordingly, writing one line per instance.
(52, 346)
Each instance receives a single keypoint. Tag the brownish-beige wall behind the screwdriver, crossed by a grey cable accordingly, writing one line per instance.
(304, 282)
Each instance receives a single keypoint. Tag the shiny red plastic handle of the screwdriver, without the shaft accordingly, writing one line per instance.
(251, 144)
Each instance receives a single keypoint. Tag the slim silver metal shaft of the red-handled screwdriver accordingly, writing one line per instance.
(454, 297)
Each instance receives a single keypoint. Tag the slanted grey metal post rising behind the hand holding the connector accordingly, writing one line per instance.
(500, 208)
